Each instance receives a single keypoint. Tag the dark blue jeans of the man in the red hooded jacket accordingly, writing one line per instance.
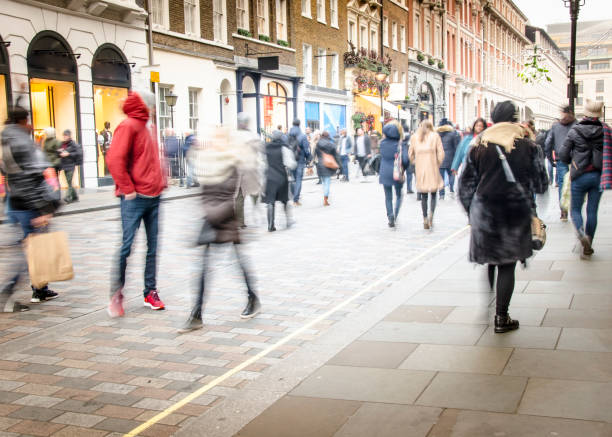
(145, 209)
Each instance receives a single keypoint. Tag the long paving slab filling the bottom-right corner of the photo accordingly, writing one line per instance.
(460, 423)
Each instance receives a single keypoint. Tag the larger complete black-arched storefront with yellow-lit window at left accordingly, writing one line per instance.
(52, 71)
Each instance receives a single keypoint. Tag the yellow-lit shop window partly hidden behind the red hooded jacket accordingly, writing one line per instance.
(107, 108)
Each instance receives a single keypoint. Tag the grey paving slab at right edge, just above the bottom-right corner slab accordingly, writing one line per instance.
(585, 400)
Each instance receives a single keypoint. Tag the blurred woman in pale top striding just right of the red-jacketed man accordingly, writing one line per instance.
(219, 168)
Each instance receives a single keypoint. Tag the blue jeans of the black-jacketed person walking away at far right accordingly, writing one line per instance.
(586, 185)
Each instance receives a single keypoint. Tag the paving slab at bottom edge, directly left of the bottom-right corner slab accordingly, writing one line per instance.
(389, 420)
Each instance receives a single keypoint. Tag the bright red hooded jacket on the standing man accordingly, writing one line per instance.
(133, 159)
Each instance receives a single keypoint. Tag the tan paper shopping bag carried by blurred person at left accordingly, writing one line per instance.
(48, 258)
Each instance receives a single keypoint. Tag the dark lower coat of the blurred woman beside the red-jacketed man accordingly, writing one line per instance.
(219, 206)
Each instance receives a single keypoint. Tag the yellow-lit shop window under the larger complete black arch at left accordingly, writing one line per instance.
(54, 105)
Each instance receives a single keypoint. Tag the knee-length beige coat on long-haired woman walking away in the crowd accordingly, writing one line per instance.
(427, 156)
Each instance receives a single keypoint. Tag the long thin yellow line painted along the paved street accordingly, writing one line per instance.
(196, 394)
